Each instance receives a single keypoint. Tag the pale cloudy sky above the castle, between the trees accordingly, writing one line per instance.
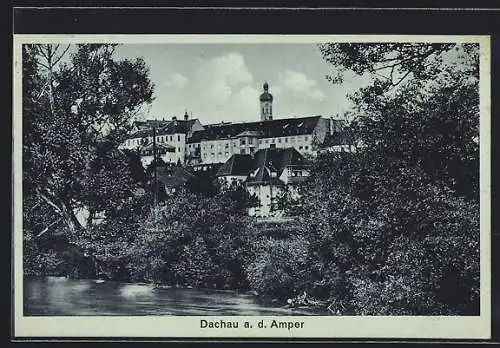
(222, 82)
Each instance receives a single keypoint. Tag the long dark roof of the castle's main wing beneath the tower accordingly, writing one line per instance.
(266, 129)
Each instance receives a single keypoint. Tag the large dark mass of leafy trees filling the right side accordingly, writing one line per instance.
(395, 225)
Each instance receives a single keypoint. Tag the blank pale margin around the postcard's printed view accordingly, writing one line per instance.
(410, 327)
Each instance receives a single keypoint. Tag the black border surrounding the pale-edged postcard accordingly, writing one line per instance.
(241, 19)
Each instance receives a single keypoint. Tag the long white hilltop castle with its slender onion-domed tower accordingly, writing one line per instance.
(188, 141)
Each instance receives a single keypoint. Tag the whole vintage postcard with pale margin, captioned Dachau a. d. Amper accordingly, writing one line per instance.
(252, 186)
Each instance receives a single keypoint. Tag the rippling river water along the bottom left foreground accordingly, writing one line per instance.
(59, 296)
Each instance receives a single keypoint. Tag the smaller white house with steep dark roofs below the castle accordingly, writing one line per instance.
(267, 175)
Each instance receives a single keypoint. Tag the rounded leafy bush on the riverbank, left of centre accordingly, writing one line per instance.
(194, 240)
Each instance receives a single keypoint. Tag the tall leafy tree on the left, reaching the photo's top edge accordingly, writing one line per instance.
(75, 114)
